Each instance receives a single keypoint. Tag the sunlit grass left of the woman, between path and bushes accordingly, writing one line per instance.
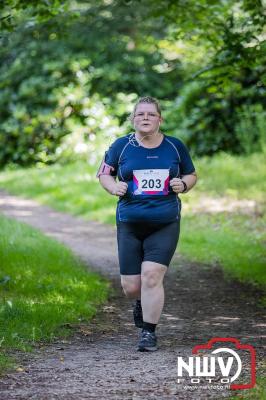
(71, 188)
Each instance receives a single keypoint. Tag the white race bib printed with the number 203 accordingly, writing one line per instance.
(151, 181)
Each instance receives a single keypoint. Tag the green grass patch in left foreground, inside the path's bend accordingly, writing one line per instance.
(42, 288)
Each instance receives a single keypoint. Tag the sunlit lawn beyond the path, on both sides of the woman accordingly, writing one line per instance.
(235, 241)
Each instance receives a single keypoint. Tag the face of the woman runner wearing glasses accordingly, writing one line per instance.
(146, 118)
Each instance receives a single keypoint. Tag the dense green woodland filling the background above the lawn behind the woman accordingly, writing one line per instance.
(71, 71)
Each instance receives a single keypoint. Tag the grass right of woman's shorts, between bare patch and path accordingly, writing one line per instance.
(233, 241)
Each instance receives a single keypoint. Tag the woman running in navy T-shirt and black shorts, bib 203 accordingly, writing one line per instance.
(147, 170)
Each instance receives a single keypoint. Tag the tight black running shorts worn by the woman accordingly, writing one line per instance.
(145, 241)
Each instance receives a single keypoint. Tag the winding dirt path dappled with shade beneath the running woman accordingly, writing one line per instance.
(100, 360)
